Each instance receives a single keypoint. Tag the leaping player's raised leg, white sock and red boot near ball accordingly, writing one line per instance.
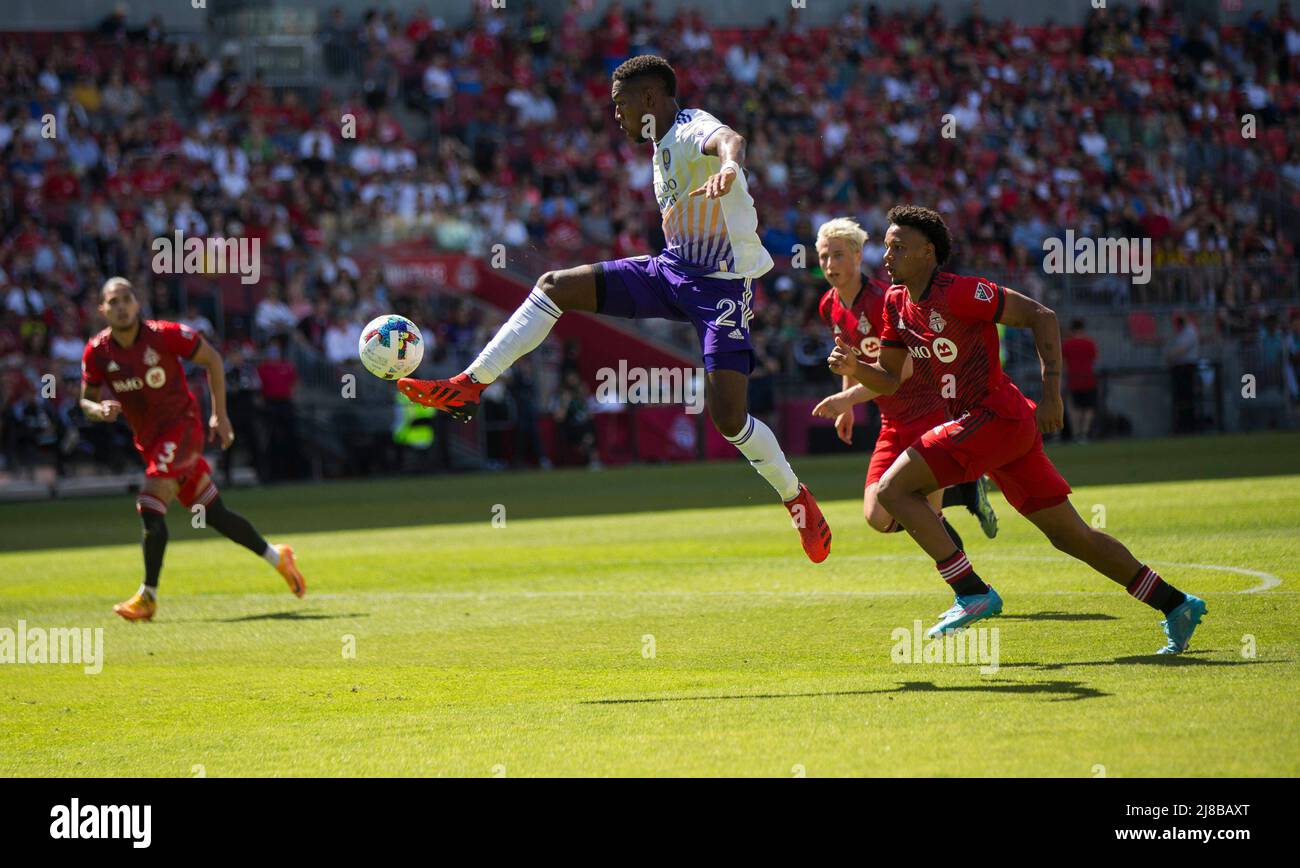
(573, 289)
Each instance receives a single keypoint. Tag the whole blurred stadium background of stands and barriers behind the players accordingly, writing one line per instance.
(434, 159)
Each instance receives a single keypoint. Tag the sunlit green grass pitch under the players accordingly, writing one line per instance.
(527, 650)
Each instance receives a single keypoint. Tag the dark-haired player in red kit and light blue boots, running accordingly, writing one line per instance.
(947, 324)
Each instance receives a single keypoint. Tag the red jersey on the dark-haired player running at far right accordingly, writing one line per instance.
(952, 338)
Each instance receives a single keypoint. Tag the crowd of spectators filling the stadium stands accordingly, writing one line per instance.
(499, 131)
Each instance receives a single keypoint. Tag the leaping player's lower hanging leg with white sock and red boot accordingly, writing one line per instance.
(727, 397)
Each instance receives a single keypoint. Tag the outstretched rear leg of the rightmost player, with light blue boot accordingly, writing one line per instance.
(1072, 535)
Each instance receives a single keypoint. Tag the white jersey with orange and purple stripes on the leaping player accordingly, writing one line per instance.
(720, 235)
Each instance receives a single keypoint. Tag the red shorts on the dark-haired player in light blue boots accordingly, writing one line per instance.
(1008, 450)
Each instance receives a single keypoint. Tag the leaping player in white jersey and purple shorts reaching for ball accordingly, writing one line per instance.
(705, 277)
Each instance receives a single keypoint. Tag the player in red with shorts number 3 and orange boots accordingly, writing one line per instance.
(140, 362)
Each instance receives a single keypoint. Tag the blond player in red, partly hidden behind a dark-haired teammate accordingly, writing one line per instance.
(855, 309)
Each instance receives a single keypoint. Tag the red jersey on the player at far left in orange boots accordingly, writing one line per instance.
(146, 377)
